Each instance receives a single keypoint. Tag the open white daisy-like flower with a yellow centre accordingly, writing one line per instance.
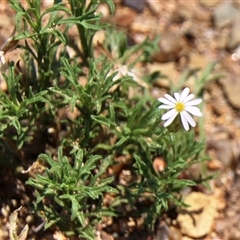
(182, 104)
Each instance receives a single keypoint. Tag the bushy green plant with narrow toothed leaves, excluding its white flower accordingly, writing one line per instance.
(78, 115)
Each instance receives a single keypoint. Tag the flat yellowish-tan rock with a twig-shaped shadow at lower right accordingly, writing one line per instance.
(196, 220)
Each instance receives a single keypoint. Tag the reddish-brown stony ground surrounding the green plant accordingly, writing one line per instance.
(193, 33)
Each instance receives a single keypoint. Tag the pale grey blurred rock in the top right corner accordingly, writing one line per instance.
(224, 14)
